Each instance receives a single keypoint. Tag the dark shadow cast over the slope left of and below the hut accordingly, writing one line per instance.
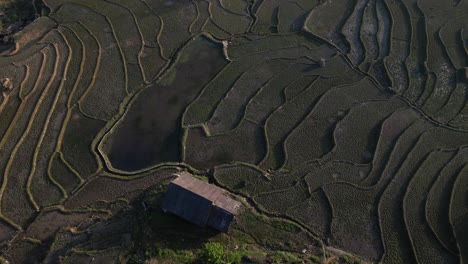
(135, 233)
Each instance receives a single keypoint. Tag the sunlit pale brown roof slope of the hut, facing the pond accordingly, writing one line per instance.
(207, 191)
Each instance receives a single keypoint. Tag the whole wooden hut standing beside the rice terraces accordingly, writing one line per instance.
(199, 202)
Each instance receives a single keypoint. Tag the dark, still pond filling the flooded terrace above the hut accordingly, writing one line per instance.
(151, 131)
